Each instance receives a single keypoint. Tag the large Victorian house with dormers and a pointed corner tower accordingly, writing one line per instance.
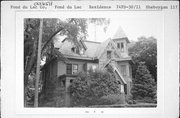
(83, 55)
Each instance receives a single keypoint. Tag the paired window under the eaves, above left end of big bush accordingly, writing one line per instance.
(71, 68)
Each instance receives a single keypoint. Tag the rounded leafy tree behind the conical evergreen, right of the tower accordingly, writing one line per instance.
(144, 50)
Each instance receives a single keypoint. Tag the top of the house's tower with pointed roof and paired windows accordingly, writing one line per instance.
(121, 42)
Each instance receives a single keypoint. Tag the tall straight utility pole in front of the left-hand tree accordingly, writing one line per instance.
(38, 64)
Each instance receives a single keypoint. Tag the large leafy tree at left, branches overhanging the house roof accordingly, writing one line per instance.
(73, 28)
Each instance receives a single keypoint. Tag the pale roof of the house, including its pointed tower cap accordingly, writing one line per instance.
(92, 49)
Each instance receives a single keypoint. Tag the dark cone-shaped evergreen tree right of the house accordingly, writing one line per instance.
(144, 85)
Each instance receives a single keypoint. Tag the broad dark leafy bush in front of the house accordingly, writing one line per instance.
(87, 89)
